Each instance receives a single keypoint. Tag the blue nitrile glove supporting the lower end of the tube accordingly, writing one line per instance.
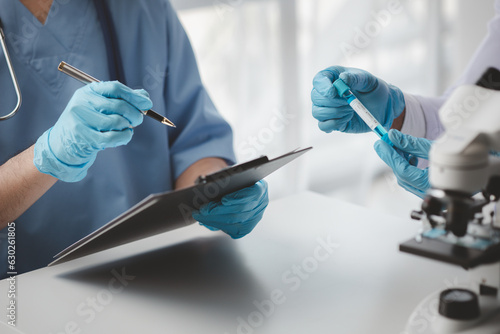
(412, 178)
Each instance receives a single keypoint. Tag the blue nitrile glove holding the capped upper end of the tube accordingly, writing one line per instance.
(386, 102)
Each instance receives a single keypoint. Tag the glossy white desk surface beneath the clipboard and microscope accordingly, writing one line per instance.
(196, 281)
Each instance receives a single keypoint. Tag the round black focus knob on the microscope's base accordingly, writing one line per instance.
(459, 304)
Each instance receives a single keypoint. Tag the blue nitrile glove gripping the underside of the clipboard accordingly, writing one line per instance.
(237, 213)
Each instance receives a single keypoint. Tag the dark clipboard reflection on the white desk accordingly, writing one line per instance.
(205, 272)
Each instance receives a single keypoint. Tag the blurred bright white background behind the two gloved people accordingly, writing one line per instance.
(257, 59)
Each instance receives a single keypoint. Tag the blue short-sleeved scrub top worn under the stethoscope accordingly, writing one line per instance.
(158, 57)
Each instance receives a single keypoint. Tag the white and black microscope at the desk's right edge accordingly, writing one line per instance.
(460, 221)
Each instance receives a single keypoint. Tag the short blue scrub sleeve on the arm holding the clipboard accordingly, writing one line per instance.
(201, 131)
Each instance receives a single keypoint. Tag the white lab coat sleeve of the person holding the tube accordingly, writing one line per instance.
(422, 119)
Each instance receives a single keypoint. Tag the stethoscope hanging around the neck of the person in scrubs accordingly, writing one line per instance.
(115, 64)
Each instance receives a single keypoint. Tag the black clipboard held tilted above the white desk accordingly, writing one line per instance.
(159, 213)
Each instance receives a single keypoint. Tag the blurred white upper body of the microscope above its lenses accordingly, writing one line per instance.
(460, 159)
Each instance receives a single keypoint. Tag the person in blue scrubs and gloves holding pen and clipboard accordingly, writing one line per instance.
(75, 157)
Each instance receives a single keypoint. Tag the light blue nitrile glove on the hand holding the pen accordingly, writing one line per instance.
(98, 116)
